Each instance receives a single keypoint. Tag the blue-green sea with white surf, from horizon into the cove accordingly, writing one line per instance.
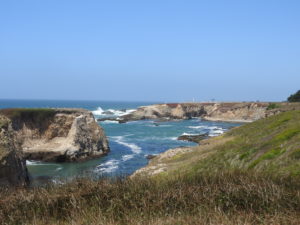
(130, 143)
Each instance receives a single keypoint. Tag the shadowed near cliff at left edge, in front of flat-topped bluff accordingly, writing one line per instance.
(12, 164)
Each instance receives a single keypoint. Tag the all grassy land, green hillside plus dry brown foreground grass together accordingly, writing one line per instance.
(248, 176)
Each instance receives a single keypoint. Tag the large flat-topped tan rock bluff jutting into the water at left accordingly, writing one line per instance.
(57, 134)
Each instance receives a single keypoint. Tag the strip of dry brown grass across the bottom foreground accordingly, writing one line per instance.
(220, 198)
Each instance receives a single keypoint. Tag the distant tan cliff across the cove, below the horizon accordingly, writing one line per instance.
(235, 112)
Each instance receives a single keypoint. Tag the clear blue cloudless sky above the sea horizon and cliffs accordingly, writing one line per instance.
(150, 50)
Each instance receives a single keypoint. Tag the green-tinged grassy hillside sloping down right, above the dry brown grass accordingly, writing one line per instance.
(269, 145)
